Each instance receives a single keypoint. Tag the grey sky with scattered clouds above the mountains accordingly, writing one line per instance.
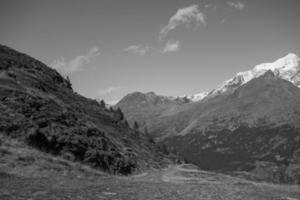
(109, 48)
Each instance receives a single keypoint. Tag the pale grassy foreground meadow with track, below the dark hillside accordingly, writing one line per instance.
(26, 173)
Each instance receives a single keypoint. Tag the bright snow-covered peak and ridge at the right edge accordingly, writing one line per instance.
(287, 68)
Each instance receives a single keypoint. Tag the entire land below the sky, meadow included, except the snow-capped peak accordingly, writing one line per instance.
(57, 144)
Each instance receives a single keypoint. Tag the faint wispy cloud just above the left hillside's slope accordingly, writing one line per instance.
(76, 64)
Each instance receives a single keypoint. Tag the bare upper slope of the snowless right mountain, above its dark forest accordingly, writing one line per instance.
(267, 97)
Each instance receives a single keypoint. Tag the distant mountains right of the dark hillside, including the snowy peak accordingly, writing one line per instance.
(252, 118)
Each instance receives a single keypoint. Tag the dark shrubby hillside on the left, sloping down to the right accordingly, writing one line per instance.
(39, 108)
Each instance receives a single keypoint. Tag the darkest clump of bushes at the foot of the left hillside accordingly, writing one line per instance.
(88, 145)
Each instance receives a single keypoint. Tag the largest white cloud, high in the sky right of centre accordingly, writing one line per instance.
(184, 16)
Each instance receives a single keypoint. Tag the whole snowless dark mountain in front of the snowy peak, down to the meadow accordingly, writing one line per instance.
(258, 124)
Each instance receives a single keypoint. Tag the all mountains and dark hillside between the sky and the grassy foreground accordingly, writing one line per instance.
(250, 123)
